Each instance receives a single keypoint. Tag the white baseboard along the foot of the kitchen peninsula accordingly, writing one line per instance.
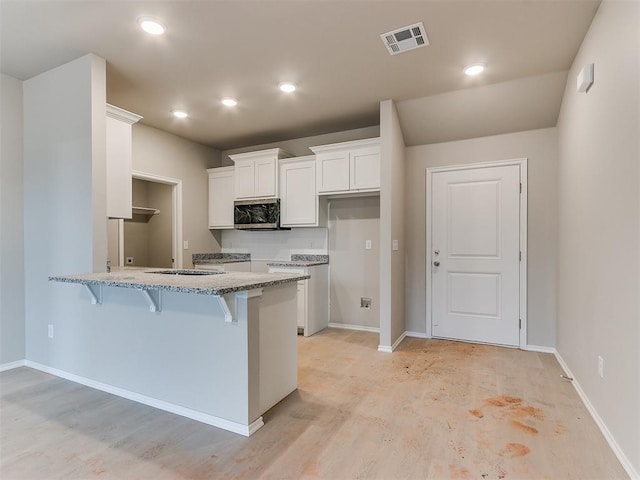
(234, 427)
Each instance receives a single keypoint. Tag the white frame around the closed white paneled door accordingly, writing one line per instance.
(522, 163)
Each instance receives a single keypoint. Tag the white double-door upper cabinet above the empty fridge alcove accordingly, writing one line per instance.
(348, 166)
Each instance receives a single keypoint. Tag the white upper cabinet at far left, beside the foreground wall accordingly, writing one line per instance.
(119, 161)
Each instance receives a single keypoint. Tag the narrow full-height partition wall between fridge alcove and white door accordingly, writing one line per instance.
(392, 218)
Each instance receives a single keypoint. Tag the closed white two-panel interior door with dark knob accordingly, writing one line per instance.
(475, 257)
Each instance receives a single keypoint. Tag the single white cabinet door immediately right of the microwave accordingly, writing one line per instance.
(299, 201)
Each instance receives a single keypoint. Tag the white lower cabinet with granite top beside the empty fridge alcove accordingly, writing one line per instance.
(313, 297)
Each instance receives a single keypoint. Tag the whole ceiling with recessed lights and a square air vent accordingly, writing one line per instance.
(331, 49)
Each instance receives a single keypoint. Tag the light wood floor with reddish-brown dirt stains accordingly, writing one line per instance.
(433, 409)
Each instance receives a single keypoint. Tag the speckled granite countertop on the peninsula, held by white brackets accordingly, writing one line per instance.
(217, 284)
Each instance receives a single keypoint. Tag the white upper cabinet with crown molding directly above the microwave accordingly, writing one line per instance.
(256, 173)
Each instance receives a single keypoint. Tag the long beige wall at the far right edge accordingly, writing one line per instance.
(599, 221)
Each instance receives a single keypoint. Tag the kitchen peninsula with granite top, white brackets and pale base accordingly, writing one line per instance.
(216, 347)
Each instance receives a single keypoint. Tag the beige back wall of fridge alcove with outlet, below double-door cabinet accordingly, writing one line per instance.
(354, 271)
